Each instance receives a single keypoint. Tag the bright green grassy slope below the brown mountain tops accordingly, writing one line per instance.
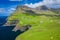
(44, 27)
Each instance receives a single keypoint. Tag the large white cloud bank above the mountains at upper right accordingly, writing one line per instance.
(49, 3)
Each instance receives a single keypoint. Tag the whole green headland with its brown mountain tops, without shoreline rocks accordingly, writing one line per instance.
(44, 22)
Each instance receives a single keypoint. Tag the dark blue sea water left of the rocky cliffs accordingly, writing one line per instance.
(6, 32)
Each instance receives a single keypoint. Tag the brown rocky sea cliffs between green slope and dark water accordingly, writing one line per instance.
(17, 27)
